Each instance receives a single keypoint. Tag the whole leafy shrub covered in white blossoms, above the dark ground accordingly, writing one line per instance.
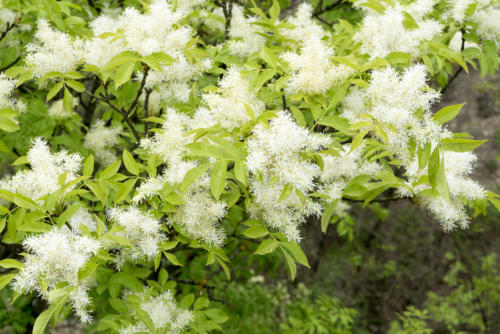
(144, 134)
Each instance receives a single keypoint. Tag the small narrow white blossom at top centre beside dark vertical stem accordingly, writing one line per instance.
(245, 39)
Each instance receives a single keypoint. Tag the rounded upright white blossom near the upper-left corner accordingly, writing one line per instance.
(52, 51)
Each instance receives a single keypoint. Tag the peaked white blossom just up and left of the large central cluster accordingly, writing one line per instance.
(232, 107)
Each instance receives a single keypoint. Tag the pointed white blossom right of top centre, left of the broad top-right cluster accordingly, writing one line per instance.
(312, 70)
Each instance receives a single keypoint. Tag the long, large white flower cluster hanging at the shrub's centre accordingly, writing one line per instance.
(275, 161)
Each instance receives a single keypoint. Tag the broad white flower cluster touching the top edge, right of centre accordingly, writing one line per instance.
(381, 34)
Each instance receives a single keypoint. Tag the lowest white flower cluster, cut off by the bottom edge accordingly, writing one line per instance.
(163, 311)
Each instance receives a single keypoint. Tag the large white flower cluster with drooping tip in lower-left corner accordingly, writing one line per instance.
(56, 257)
